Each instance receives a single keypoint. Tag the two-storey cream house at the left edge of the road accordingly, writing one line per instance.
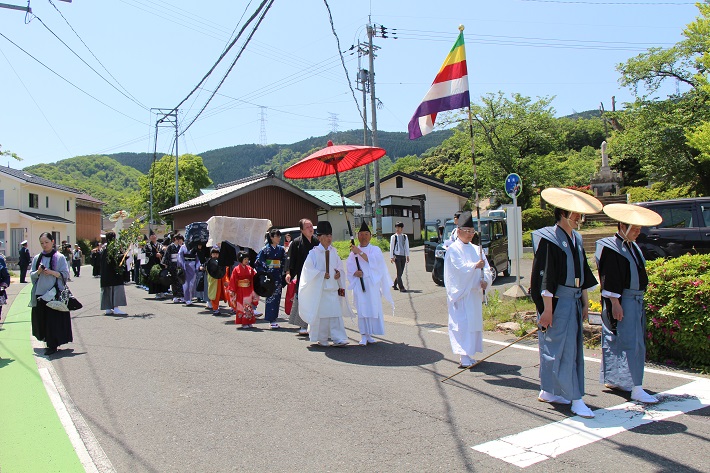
(31, 205)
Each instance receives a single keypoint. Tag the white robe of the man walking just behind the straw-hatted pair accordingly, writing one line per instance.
(465, 297)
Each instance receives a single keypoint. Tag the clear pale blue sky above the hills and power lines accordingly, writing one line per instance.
(107, 63)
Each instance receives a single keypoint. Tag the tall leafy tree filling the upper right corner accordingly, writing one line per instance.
(668, 138)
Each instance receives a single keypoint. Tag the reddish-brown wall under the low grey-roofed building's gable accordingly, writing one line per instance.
(282, 207)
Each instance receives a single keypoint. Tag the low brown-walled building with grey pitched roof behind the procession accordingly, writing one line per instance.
(260, 196)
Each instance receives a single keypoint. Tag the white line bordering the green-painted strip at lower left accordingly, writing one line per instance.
(91, 455)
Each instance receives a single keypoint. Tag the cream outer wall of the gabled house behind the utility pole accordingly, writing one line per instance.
(439, 204)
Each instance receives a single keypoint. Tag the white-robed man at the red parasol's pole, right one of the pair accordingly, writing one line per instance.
(374, 276)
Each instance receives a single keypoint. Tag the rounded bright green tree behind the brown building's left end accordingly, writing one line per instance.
(192, 176)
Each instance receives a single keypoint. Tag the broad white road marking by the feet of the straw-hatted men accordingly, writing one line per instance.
(552, 440)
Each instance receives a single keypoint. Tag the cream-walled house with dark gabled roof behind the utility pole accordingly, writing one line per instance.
(412, 198)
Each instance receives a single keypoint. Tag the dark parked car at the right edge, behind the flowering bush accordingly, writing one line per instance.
(685, 228)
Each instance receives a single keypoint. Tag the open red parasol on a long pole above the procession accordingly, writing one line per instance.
(334, 159)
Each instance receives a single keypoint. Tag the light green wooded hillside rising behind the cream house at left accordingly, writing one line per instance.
(99, 176)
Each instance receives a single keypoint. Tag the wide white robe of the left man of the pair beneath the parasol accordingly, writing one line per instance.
(318, 302)
